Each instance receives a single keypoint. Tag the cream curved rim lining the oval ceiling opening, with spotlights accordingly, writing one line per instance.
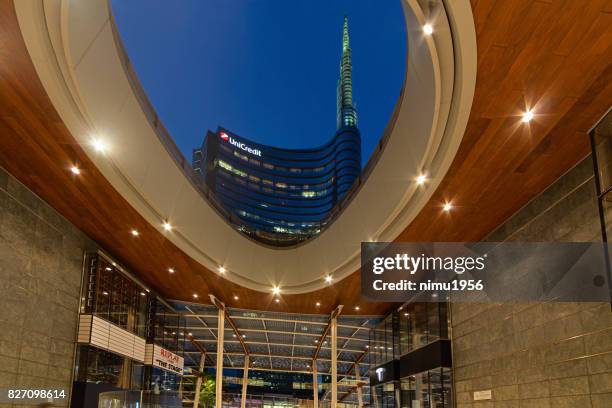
(72, 46)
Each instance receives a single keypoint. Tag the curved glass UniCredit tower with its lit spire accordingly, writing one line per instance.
(284, 196)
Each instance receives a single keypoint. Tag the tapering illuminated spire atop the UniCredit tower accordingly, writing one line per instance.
(346, 112)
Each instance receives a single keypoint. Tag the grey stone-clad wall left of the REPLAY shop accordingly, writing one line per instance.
(40, 276)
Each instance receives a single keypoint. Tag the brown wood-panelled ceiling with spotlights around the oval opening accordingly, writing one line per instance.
(553, 57)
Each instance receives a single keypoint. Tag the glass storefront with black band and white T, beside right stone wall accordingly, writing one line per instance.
(410, 358)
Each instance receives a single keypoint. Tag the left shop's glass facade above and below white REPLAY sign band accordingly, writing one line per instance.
(111, 294)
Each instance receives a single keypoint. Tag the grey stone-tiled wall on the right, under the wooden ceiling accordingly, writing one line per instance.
(539, 355)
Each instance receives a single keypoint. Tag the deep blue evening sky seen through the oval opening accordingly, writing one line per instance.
(266, 70)
